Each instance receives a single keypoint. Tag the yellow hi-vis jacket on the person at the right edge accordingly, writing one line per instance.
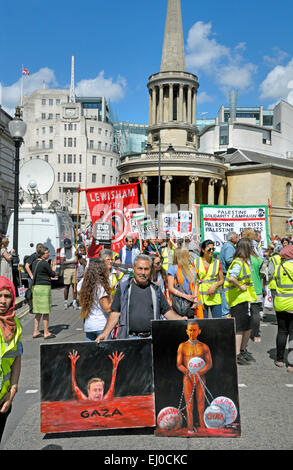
(284, 286)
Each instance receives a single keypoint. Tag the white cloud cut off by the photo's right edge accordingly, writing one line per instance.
(276, 85)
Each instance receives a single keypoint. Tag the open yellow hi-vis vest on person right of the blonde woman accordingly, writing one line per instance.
(207, 279)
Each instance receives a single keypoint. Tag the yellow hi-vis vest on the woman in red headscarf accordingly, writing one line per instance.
(8, 353)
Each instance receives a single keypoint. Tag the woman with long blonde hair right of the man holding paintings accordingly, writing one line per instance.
(182, 274)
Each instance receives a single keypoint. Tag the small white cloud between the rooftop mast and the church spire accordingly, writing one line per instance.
(102, 86)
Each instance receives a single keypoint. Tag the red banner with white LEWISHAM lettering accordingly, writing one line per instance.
(112, 204)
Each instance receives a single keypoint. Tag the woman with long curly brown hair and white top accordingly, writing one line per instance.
(95, 298)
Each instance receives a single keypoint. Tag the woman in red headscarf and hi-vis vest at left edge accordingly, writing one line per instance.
(10, 349)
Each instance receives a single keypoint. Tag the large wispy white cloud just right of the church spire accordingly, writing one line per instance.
(225, 65)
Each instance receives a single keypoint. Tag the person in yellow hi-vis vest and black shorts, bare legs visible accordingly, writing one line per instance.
(239, 292)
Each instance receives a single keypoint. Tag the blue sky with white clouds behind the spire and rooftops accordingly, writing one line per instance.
(118, 44)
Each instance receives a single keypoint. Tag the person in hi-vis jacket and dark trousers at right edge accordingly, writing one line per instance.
(283, 304)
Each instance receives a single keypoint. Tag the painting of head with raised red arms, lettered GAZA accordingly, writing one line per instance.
(91, 386)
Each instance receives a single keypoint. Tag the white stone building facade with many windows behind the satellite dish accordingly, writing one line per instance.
(76, 139)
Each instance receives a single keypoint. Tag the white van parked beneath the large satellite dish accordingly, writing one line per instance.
(49, 227)
